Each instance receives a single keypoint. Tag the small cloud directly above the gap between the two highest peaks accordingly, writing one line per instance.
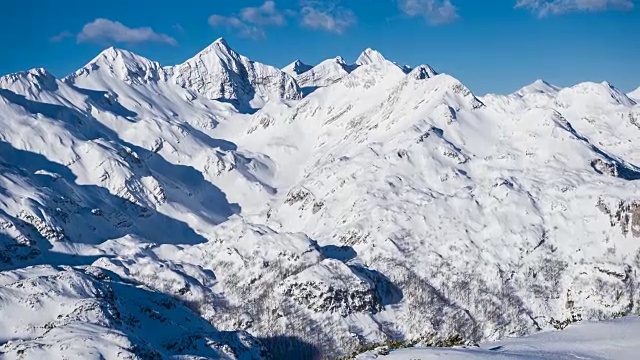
(326, 17)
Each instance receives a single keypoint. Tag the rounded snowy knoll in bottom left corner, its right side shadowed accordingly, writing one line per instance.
(88, 313)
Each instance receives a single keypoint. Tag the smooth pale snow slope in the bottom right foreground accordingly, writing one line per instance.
(604, 340)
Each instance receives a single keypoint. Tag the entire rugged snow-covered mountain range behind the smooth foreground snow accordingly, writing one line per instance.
(385, 204)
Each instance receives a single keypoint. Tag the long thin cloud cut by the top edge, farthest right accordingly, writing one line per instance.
(544, 8)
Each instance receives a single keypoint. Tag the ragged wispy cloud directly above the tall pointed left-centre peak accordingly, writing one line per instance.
(251, 21)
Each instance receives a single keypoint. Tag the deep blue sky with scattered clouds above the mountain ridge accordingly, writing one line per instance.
(491, 46)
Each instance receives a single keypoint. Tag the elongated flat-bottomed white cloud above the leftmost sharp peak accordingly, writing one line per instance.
(108, 31)
